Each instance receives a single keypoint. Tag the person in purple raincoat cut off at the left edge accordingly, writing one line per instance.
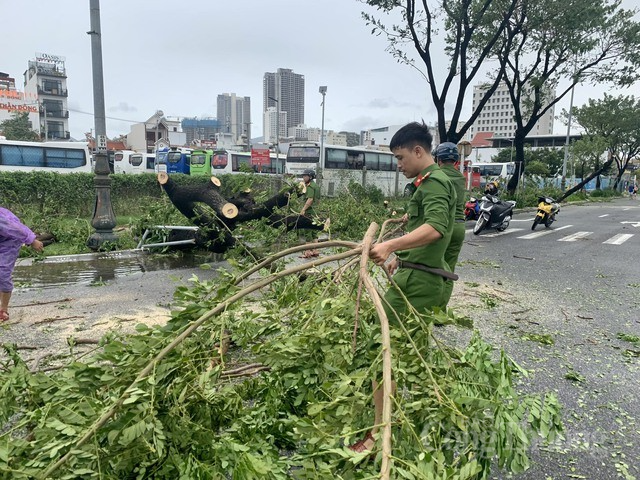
(13, 234)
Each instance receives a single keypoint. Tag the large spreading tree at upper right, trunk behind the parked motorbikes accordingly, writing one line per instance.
(574, 40)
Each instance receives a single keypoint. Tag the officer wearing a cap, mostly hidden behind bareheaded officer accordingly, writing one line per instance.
(447, 155)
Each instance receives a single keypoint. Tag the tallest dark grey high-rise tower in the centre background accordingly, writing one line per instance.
(284, 91)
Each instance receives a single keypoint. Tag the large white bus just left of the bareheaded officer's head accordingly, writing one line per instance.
(342, 165)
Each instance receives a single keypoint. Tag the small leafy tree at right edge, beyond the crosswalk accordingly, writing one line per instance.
(616, 121)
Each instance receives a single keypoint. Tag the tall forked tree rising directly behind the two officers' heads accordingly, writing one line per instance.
(467, 32)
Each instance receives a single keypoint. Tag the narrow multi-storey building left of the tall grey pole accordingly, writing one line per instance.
(46, 80)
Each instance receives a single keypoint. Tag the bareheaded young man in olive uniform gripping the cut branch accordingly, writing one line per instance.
(420, 262)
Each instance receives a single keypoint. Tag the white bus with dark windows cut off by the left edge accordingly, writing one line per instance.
(61, 157)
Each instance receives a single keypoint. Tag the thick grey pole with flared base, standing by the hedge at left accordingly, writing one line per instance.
(103, 217)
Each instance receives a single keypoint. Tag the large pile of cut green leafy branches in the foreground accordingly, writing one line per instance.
(293, 389)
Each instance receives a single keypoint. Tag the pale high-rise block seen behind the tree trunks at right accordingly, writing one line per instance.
(497, 115)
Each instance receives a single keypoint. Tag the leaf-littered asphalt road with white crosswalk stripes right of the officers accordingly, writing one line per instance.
(578, 283)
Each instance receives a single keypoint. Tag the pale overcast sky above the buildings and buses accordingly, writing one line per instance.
(178, 56)
